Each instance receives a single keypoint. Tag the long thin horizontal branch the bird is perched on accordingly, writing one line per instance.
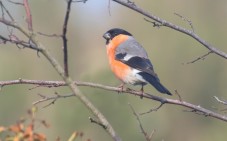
(162, 100)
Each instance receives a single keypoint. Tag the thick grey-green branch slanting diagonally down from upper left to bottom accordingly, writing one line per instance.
(68, 81)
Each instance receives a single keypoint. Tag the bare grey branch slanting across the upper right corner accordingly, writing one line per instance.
(172, 26)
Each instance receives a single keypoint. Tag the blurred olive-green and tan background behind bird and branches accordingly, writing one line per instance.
(169, 50)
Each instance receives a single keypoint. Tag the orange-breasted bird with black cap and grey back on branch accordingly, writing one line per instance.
(129, 60)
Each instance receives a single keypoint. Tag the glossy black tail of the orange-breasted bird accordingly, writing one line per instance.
(153, 80)
